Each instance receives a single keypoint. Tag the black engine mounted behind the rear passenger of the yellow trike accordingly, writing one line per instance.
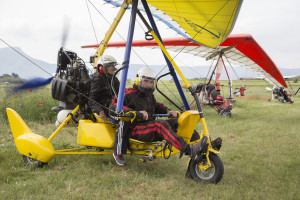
(71, 84)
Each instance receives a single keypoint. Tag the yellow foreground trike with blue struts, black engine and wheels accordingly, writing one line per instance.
(70, 85)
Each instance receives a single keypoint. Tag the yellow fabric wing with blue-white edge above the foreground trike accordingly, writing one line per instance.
(206, 22)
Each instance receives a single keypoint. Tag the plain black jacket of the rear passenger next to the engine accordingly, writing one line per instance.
(101, 92)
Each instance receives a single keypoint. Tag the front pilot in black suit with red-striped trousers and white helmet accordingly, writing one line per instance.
(140, 99)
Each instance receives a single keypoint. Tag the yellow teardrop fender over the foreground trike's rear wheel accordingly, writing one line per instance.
(27, 142)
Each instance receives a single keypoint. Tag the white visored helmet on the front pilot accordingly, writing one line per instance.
(146, 73)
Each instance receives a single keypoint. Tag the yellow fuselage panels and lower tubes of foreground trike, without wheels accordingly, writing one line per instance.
(99, 134)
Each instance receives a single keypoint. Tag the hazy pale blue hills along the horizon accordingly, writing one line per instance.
(13, 62)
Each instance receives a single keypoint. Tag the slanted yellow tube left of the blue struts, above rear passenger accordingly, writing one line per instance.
(101, 48)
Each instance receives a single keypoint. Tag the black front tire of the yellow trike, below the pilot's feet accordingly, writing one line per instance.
(212, 175)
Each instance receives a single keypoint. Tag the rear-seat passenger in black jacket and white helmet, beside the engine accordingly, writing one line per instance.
(102, 86)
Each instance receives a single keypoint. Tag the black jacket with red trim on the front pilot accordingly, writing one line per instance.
(134, 100)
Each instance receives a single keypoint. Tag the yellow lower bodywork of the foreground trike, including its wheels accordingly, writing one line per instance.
(38, 150)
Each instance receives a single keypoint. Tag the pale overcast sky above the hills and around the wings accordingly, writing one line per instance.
(36, 27)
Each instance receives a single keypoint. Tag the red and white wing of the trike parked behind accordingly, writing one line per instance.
(240, 49)
